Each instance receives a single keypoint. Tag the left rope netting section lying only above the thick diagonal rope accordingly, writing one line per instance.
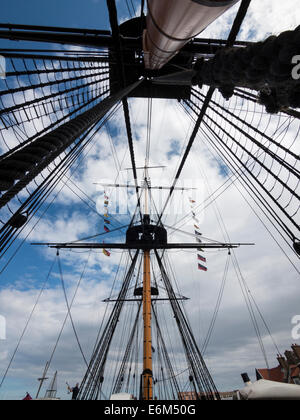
(40, 93)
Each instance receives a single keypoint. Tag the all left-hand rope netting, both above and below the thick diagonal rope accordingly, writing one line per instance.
(39, 95)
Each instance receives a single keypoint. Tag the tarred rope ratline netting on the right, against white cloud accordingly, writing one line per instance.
(260, 148)
